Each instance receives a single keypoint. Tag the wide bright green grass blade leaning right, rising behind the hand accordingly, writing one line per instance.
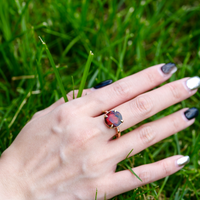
(85, 74)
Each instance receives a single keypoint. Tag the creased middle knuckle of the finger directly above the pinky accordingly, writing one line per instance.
(146, 134)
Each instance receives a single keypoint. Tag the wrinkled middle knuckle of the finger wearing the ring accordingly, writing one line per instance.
(144, 104)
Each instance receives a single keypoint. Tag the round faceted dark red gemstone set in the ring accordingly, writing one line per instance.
(114, 117)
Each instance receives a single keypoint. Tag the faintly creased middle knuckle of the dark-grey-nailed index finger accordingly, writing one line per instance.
(121, 89)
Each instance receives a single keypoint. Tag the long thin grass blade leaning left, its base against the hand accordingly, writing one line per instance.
(55, 71)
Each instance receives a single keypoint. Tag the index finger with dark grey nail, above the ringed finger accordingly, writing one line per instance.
(127, 88)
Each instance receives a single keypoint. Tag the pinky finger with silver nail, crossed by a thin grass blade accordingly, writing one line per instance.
(124, 181)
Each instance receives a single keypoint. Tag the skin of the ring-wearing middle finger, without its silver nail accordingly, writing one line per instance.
(148, 104)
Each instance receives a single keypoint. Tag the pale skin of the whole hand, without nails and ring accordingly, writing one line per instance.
(67, 152)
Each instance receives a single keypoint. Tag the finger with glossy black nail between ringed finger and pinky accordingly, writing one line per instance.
(153, 132)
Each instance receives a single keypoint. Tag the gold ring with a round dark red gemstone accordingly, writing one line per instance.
(113, 119)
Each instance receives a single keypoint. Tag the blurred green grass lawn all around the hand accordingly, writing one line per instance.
(125, 37)
